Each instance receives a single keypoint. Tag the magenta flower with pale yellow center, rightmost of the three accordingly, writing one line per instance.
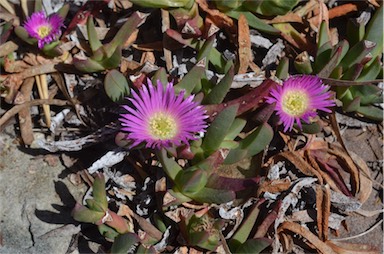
(299, 98)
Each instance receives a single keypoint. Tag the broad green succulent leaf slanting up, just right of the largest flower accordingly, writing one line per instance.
(219, 129)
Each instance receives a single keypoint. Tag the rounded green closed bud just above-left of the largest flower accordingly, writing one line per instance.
(116, 85)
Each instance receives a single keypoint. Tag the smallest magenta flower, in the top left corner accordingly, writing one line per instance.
(44, 29)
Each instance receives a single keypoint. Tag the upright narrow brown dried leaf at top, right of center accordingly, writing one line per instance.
(244, 40)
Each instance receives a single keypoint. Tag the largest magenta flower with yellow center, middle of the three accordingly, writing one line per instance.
(159, 118)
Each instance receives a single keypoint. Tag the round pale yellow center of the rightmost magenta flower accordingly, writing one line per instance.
(295, 103)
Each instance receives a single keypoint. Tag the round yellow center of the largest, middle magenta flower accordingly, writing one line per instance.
(162, 126)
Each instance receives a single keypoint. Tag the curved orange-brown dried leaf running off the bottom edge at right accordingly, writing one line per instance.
(313, 239)
